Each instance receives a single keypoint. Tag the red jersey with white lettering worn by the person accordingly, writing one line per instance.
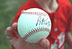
(61, 21)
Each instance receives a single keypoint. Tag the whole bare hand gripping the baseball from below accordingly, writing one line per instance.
(21, 44)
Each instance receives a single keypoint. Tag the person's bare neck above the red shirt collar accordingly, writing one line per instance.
(48, 5)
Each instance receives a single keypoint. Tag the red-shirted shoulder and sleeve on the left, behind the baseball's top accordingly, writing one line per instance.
(27, 5)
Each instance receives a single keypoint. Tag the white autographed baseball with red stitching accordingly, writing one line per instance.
(33, 25)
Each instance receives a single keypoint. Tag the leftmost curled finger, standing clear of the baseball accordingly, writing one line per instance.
(10, 37)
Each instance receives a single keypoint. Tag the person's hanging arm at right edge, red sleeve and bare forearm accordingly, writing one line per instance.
(68, 37)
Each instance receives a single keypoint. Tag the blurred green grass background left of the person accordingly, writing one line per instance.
(8, 9)
